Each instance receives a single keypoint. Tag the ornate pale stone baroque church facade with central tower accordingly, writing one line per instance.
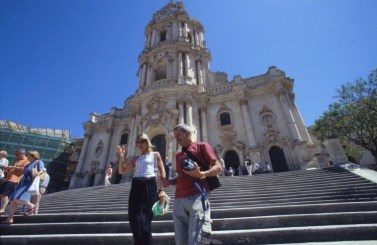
(254, 118)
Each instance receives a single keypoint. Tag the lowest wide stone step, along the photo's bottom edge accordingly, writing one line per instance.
(255, 236)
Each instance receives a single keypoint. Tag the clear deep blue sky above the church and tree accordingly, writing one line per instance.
(61, 60)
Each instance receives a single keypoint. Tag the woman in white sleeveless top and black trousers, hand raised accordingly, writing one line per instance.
(143, 192)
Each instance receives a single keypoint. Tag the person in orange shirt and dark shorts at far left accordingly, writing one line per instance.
(13, 176)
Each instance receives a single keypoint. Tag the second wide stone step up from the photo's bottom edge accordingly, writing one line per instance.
(162, 226)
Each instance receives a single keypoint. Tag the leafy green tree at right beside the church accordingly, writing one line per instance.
(353, 117)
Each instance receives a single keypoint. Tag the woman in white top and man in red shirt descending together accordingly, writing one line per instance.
(191, 212)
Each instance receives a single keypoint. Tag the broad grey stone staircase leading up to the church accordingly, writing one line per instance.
(320, 206)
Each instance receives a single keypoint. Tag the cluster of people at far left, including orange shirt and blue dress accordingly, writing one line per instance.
(17, 180)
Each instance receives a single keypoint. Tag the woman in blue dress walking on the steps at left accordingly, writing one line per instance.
(21, 196)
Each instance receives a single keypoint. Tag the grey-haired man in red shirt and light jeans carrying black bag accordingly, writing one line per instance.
(191, 212)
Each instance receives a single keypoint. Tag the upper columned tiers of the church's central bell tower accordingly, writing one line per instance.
(174, 52)
